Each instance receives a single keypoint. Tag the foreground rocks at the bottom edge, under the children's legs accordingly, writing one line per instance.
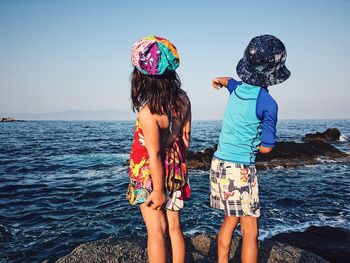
(314, 245)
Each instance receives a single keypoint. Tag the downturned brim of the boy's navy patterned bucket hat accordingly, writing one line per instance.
(262, 79)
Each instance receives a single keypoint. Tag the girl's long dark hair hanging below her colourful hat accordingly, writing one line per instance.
(160, 93)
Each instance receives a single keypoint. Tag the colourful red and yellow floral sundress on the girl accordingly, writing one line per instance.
(174, 162)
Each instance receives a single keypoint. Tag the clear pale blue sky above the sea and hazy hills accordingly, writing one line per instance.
(69, 54)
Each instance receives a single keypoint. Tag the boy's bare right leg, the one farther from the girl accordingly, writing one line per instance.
(249, 227)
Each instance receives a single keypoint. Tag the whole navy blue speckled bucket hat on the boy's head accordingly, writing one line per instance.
(263, 62)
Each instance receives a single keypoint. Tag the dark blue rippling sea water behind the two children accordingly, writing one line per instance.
(63, 183)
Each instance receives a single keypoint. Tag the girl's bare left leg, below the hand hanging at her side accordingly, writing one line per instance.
(156, 229)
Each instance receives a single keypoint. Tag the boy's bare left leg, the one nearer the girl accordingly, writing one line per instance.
(225, 237)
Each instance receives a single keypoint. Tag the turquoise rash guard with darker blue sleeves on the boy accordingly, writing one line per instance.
(250, 120)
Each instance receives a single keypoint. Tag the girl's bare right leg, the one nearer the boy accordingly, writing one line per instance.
(176, 236)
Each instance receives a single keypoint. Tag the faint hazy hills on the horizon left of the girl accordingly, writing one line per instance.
(102, 115)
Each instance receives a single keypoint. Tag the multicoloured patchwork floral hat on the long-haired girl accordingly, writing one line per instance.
(154, 56)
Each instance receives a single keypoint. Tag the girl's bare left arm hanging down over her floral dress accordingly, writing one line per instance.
(151, 133)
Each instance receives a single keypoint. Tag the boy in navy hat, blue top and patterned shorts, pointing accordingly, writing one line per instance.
(249, 126)
